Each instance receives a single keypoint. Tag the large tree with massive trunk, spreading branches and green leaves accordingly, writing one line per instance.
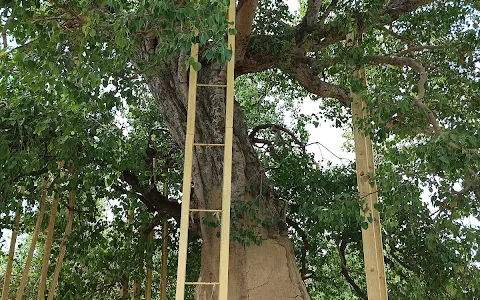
(71, 65)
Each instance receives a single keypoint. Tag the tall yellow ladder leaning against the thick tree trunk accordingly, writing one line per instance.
(190, 143)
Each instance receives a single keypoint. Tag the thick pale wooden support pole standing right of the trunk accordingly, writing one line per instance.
(371, 237)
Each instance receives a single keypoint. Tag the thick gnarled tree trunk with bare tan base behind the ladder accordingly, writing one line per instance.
(260, 272)
